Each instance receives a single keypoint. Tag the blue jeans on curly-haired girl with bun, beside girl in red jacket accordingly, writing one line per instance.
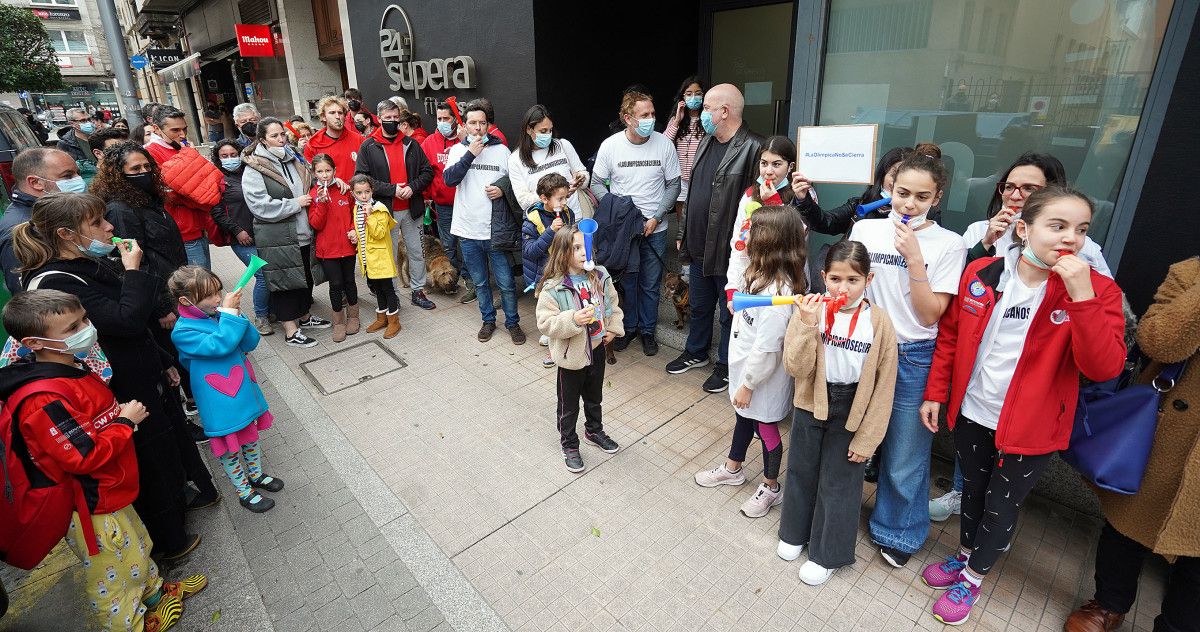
(901, 520)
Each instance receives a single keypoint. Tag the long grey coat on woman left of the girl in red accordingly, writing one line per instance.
(281, 226)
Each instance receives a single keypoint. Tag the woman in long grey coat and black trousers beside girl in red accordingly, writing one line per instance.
(275, 185)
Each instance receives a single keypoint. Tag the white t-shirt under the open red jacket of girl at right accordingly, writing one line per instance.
(1004, 340)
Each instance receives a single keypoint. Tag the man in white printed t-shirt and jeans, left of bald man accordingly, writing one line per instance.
(643, 165)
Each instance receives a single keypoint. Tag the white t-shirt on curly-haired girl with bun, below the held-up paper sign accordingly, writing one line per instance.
(945, 260)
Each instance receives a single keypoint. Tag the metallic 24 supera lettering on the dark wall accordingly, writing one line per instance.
(397, 50)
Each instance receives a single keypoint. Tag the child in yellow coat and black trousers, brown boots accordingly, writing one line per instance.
(373, 236)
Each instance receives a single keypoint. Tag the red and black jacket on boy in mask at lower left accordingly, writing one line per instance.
(81, 436)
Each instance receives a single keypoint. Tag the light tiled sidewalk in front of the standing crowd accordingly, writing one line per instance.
(428, 491)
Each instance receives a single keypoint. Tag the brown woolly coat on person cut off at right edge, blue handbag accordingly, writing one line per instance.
(1166, 514)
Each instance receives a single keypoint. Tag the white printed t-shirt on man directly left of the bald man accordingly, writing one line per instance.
(640, 172)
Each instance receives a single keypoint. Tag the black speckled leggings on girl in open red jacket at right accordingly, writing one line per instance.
(994, 486)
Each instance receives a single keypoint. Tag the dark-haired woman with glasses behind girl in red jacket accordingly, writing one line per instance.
(1029, 173)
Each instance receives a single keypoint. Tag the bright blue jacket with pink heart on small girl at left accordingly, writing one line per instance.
(224, 383)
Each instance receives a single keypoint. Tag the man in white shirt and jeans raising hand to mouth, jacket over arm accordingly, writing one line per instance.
(473, 167)
